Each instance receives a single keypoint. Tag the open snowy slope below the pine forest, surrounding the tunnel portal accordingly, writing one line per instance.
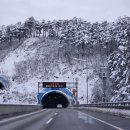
(25, 91)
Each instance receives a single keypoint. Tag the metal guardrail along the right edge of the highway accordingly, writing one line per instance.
(117, 105)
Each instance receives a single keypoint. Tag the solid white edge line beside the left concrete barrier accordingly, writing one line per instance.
(21, 116)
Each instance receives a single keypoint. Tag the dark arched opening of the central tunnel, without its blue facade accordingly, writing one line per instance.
(52, 99)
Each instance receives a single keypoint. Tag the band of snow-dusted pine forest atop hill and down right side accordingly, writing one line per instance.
(83, 40)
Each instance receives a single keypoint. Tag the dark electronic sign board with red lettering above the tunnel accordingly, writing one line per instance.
(53, 84)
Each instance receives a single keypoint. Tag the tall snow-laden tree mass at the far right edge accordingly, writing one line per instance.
(119, 61)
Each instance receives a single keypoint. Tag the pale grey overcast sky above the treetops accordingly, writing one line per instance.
(12, 11)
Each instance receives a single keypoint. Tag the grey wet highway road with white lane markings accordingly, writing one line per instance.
(65, 119)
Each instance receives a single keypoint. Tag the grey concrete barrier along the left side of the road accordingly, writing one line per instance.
(17, 108)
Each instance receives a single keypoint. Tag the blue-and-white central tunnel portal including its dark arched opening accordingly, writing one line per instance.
(51, 97)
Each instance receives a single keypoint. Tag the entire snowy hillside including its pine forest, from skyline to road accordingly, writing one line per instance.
(50, 50)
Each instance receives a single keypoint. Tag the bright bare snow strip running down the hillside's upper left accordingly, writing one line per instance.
(23, 53)
